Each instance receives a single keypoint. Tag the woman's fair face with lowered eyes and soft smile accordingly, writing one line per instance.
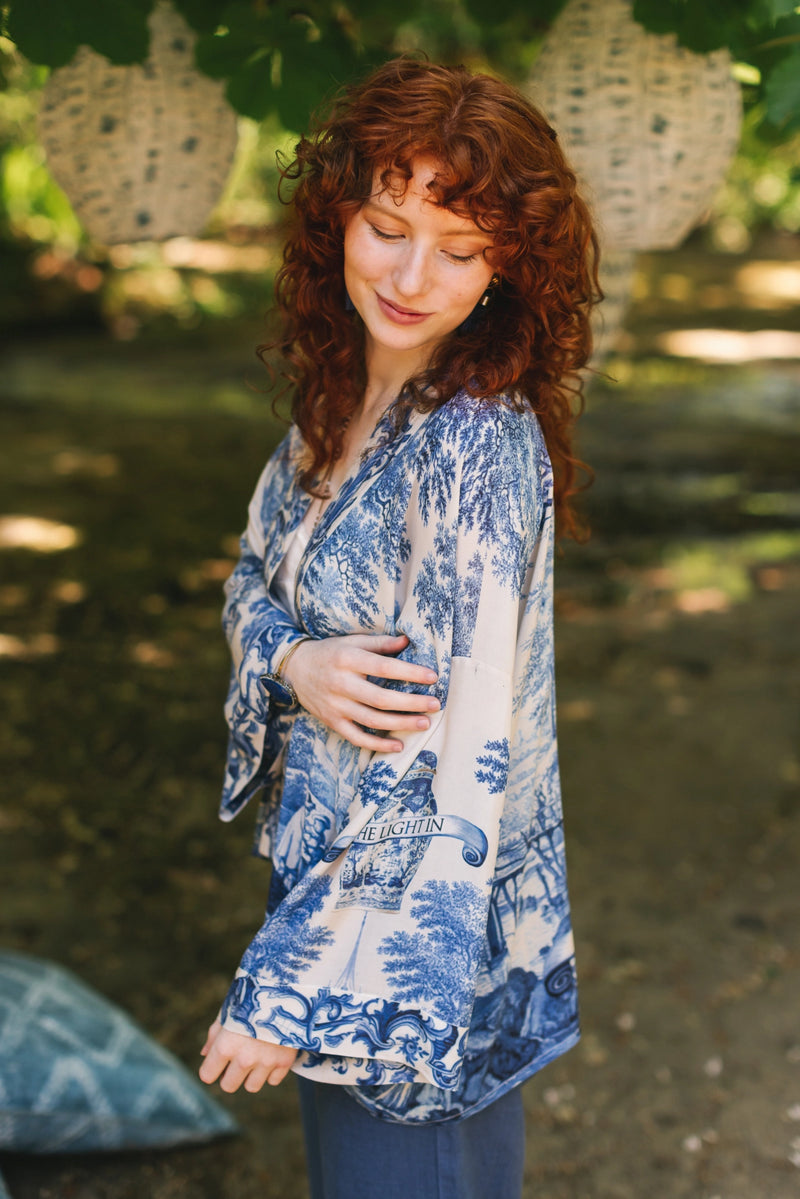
(413, 270)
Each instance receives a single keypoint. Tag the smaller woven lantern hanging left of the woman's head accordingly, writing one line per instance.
(141, 152)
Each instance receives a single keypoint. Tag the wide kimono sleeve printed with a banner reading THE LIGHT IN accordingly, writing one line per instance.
(371, 963)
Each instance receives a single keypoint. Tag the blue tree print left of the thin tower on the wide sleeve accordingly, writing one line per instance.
(288, 942)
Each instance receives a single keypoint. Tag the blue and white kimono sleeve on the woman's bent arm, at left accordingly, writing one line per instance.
(260, 632)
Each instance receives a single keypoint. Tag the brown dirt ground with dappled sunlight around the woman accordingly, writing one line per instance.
(679, 678)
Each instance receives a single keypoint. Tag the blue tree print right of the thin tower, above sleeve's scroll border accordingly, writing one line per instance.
(436, 966)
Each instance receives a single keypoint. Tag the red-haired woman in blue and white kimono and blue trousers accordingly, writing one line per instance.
(390, 624)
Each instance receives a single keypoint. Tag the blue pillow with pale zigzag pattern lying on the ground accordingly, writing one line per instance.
(76, 1074)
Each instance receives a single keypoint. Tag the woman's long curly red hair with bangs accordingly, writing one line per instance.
(501, 166)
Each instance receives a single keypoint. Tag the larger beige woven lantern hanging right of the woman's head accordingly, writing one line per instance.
(649, 126)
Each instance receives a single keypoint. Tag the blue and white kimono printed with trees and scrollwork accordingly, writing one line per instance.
(418, 945)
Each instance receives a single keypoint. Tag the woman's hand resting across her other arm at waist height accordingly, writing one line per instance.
(330, 678)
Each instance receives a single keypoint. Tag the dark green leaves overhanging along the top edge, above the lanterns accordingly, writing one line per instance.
(281, 57)
